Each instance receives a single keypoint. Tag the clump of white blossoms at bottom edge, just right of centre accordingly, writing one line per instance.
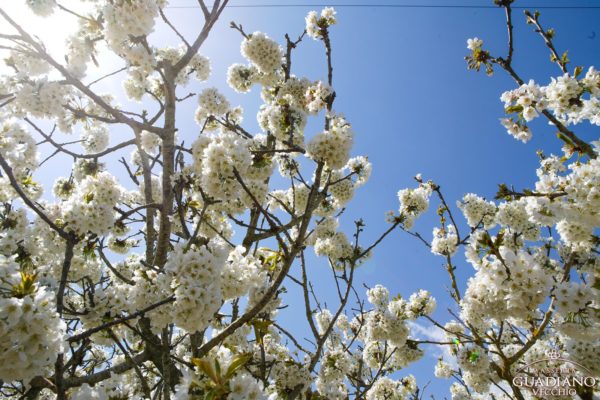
(386, 345)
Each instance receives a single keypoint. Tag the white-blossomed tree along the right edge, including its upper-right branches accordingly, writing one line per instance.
(534, 251)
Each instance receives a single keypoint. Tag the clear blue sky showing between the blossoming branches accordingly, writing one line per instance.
(402, 82)
